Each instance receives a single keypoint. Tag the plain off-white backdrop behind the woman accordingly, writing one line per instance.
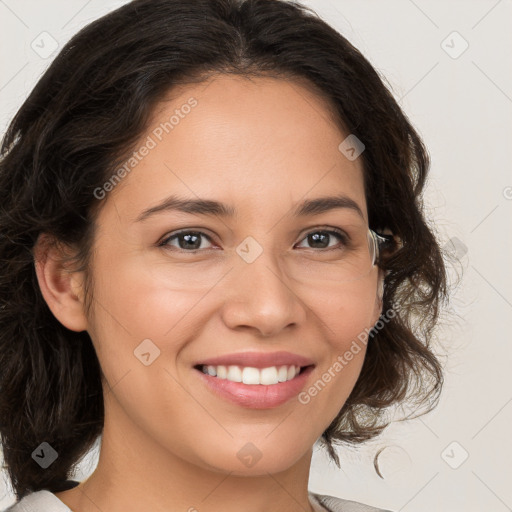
(448, 64)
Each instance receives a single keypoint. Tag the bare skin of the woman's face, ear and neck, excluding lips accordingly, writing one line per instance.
(169, 443)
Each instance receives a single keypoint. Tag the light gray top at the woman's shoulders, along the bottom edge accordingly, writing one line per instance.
(46, 501)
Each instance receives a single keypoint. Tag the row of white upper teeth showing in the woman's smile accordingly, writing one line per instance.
(250, 375)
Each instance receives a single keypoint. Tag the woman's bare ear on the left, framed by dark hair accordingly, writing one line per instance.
(62, 290)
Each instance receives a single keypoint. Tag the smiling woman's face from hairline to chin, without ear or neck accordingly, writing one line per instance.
(247, 297)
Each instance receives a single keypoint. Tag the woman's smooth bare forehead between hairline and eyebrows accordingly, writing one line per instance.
(258, 141)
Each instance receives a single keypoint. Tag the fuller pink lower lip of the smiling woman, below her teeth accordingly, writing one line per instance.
(257, 396)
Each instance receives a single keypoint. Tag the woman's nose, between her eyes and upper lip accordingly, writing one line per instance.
(261, 298)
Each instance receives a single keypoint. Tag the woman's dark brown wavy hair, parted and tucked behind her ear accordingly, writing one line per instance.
(84, 117)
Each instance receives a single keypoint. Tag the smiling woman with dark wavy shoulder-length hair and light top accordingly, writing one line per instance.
(214, 256)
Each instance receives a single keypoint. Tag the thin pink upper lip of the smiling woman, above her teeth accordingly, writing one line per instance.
(258, 359)
